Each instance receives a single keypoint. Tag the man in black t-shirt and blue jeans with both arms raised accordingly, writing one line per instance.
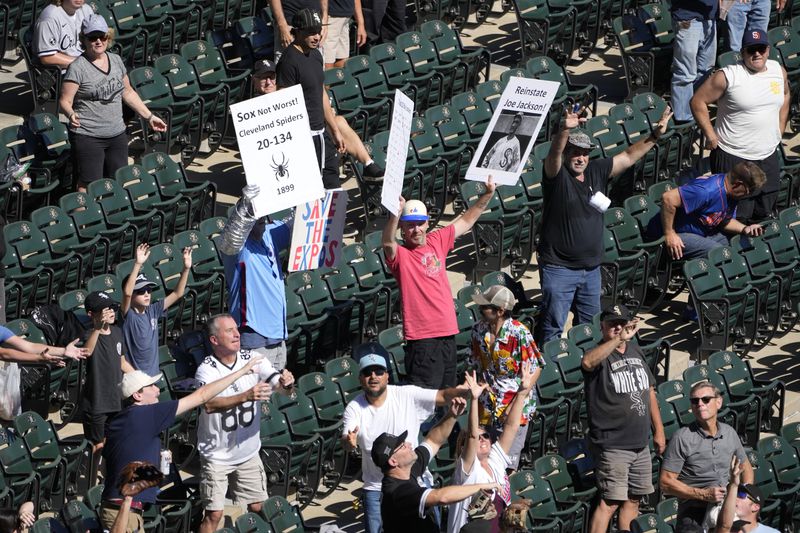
(571, 247)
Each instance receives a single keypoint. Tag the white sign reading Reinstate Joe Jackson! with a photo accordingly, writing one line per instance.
(511, 134)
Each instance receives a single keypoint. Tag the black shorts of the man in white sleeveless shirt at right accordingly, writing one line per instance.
(759, 206)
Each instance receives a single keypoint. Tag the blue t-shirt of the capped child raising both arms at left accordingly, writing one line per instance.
(140, 331)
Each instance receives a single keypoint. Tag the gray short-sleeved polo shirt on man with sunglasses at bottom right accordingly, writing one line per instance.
(700, 459)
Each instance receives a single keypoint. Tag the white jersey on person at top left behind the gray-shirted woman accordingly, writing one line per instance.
(55, 31)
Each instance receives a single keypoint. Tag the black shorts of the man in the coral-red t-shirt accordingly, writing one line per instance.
(431, 363)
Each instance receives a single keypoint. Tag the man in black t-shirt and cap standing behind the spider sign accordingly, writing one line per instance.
(301, 63)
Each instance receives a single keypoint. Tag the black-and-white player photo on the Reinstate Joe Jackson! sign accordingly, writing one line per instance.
(509, 140)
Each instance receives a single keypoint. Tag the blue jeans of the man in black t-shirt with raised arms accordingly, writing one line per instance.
(564, 288)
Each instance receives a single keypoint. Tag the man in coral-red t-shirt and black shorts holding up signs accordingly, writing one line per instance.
(429, 318)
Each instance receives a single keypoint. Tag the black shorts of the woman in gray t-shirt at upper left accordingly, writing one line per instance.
(95, 158)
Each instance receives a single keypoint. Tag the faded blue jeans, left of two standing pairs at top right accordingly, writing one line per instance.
(693, 56)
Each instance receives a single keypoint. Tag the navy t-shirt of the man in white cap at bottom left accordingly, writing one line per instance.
(134, 435)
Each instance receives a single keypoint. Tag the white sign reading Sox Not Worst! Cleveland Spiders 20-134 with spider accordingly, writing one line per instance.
(277, 149)
